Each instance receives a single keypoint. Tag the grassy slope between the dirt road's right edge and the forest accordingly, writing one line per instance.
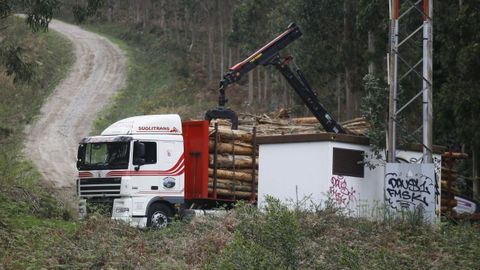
(158, 80)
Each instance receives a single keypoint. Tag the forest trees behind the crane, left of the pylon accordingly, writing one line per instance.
(342, 41)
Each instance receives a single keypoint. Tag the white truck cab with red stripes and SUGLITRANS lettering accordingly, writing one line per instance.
(138, 165)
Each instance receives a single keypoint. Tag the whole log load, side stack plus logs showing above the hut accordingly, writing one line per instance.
(233, 159)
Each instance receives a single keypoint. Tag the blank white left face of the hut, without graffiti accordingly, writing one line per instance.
(288, 171)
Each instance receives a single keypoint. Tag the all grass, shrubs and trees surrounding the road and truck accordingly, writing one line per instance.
(175, 50)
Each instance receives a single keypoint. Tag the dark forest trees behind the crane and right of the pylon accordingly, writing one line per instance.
(342, 42)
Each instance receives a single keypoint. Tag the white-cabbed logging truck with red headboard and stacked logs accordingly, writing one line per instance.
(145, 169)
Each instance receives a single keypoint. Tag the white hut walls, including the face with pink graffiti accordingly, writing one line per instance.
(291, 171)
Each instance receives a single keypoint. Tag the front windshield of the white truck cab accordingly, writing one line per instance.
(101, 156)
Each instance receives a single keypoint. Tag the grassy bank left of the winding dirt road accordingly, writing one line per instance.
(51, 56)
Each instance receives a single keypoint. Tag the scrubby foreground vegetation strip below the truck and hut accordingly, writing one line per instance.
(276, 238)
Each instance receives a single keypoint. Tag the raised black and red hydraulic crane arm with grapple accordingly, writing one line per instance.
(269, 55)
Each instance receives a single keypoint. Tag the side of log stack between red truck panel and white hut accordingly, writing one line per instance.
(233, 163)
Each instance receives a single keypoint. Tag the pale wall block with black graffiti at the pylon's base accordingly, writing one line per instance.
(409, 186)
